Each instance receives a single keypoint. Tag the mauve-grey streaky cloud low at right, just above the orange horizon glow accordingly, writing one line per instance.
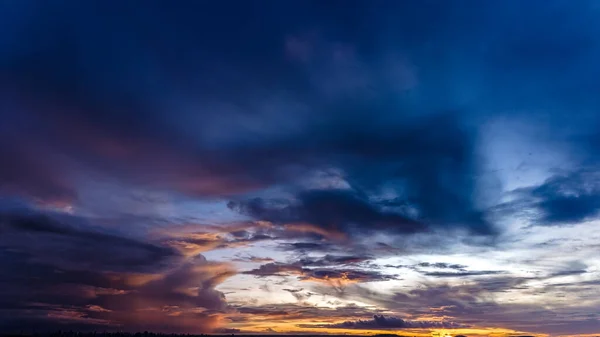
(480, 302)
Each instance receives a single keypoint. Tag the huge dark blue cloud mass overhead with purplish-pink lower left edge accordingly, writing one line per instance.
(91, 104)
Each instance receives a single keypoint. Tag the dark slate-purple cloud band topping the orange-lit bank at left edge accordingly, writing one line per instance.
(60, 242)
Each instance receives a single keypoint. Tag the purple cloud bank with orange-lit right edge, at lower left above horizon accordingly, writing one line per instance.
(77, 277)
